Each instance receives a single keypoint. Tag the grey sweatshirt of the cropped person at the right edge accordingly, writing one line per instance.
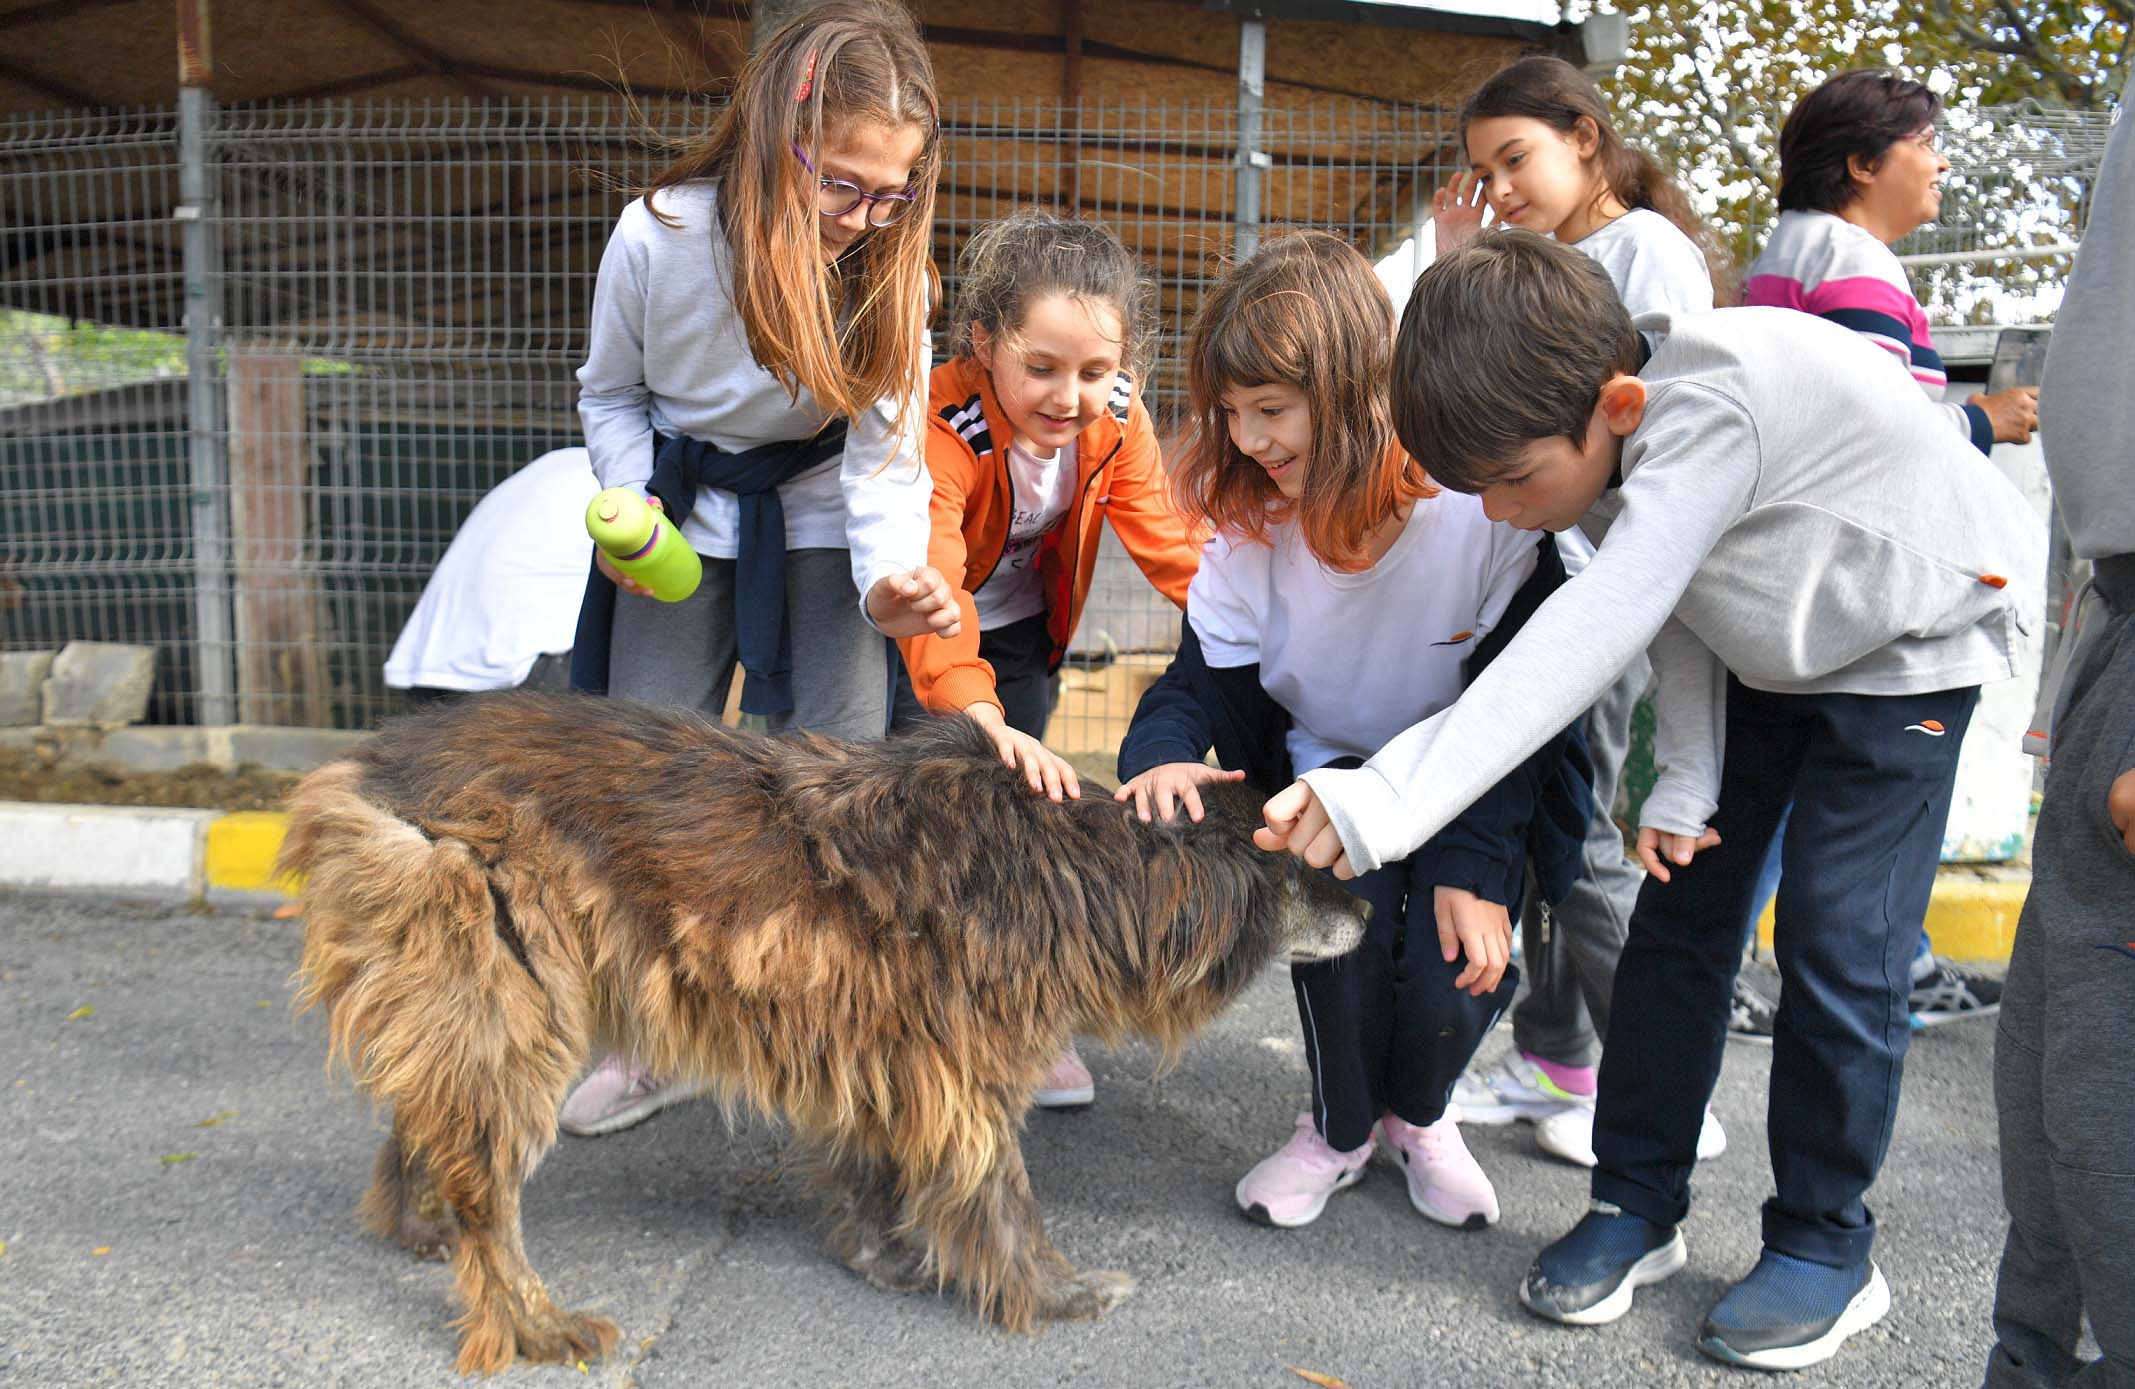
(2087, 398)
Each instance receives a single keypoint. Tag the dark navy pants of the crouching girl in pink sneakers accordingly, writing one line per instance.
(1385, 1025)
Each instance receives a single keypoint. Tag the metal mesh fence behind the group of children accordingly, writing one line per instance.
(398, 302)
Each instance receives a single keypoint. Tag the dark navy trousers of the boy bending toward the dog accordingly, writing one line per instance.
(1871, 782)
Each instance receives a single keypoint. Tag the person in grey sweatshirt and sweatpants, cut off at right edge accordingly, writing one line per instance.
(2068, 1025)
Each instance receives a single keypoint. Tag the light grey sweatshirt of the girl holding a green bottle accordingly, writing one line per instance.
(669, 355)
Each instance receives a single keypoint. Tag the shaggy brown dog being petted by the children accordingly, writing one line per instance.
(883, 944)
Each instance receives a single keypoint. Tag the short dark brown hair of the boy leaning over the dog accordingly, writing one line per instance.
(1504, 342)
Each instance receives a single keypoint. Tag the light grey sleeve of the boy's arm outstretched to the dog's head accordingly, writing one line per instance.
(1690, 473)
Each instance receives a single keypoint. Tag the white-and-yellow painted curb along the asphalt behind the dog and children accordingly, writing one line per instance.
(215, 855)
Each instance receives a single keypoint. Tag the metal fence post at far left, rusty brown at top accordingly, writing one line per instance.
(197, 210)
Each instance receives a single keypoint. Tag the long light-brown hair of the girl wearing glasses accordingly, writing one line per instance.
(851, 332)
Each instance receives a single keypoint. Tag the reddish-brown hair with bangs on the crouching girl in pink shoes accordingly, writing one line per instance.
(1306, 310)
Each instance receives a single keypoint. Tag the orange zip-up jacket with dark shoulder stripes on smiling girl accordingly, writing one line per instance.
(1120, 477)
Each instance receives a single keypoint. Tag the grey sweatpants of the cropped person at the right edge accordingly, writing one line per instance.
(2063, 1087)
